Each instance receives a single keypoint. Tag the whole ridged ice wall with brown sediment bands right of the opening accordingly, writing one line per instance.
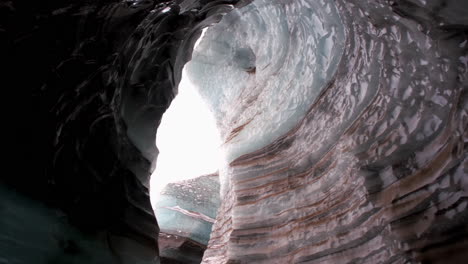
(344, 123)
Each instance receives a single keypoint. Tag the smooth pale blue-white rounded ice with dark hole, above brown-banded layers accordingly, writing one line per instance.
(261, 68)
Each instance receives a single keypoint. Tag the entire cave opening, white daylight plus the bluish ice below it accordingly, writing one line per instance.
(185, 184)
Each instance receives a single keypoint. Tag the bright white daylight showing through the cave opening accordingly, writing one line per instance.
(187, 139)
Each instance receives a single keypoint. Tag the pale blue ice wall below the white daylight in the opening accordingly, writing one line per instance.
(186, 211)
